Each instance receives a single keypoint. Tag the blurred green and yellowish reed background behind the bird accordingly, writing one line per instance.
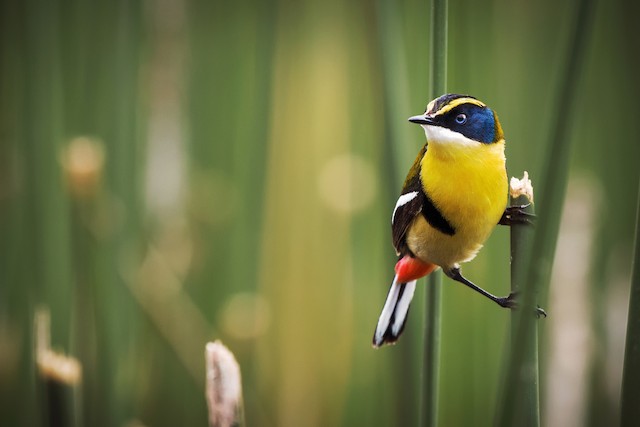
(174, 172)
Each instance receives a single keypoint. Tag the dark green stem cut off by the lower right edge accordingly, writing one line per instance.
(630, 410)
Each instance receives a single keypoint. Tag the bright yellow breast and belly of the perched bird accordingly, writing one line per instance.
(468, 185)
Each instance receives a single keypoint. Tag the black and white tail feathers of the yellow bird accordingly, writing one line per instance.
(394, 313)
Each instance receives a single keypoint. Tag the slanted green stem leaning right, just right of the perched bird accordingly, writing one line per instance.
(553, 187)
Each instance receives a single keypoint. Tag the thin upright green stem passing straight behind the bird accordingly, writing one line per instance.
(431, 342)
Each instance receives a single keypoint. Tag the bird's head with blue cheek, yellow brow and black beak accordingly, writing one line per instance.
(461, 120)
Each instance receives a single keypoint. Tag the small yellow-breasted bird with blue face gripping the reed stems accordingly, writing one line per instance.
(454, 195)
